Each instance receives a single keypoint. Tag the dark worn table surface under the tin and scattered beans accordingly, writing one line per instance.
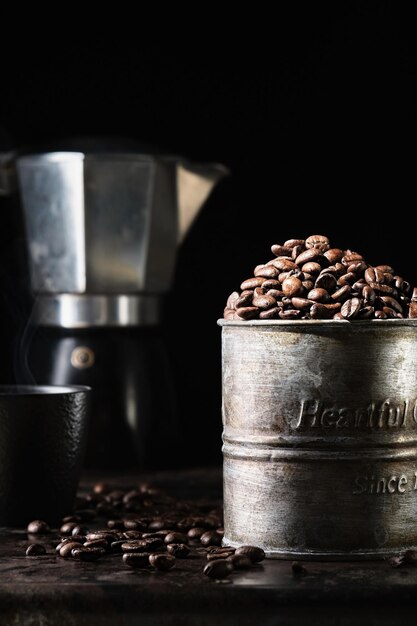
(50, 590)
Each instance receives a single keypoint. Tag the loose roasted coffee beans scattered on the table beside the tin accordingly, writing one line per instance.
(145, 528)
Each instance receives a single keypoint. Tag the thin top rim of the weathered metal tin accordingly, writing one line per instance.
(316, 323)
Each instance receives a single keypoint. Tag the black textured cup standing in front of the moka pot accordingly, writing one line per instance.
(43, 433)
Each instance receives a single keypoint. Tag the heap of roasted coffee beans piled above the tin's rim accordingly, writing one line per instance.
(309, 279)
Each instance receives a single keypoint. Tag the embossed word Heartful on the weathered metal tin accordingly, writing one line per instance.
(384, 415)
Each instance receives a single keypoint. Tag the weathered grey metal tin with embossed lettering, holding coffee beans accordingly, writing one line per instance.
(320, 437)
